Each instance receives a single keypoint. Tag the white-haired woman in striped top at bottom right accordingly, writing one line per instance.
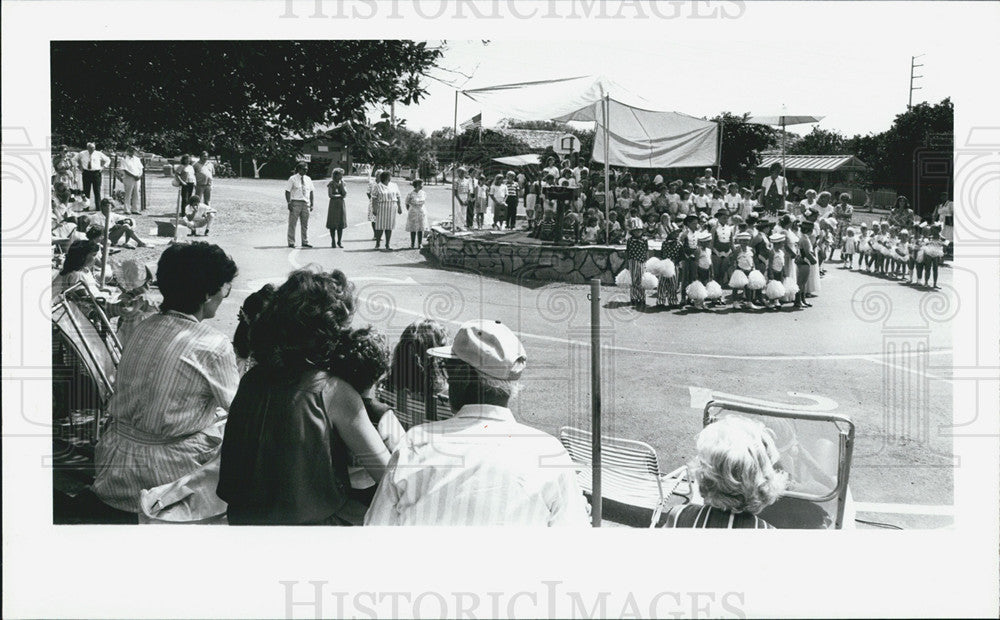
(736, 475)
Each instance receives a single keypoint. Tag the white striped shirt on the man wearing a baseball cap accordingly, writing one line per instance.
(478, 468)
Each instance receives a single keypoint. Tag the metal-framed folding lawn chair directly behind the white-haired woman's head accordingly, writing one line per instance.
(816, 451)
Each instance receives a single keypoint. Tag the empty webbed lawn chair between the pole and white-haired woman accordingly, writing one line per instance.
(630, 470)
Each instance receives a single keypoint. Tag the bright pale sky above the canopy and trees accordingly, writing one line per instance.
(857, 90)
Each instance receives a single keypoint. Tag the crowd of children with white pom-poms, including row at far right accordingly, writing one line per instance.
(765, 262)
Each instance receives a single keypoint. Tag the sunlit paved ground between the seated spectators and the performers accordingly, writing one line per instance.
(872, 349)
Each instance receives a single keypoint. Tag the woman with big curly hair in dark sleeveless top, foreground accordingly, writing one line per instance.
(296, 420)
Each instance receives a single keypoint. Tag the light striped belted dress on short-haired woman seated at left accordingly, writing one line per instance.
(176, 380)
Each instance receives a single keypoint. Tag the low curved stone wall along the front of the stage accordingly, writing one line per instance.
(576, 265)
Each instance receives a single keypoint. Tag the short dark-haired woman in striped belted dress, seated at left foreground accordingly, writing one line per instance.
(175, 382)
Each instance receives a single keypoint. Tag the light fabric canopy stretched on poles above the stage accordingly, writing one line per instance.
(639, 135)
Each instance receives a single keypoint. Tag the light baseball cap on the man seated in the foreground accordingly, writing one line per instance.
(488, 346)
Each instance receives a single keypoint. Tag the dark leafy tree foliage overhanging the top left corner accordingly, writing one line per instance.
(227, 96)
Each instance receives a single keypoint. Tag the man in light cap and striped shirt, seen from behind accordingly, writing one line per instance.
(480, 467)
